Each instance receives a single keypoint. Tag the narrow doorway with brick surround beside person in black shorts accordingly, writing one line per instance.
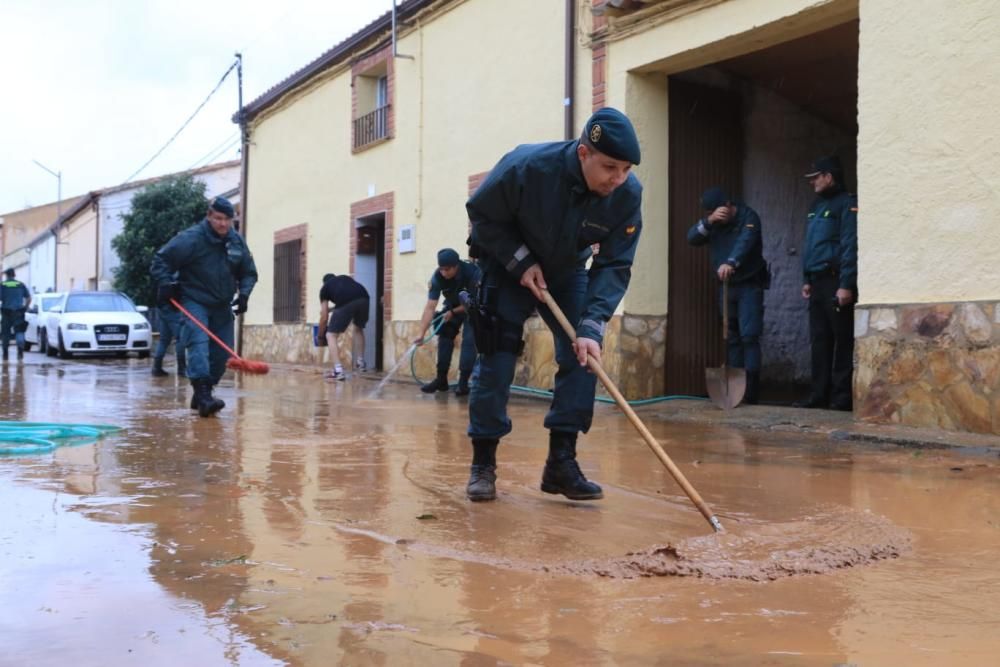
(369, 270)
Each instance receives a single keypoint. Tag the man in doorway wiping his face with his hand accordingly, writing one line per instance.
(732, 231)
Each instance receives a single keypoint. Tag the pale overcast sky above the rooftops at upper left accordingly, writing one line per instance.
(94, 88)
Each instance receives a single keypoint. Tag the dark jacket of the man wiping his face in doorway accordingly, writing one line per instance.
(737, 243)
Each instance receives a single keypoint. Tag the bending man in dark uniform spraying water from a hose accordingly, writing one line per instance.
(452, 276)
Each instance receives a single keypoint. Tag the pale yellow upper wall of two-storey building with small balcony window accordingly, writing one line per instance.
(458, 108)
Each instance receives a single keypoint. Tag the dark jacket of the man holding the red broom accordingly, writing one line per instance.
(210, 269)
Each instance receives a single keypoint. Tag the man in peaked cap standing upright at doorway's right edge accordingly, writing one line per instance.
(830, 283)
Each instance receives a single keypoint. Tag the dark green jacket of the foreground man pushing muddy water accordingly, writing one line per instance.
(535, 208)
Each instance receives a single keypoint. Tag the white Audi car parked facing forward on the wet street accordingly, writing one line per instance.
(97, 323)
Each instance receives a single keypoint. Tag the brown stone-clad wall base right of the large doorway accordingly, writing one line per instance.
(929, 365)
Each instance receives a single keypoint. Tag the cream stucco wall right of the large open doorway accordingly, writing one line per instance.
(929, 151)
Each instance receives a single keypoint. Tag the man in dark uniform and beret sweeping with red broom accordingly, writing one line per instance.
(212, 263)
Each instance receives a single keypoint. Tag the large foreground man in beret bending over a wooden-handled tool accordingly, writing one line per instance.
(534, 219)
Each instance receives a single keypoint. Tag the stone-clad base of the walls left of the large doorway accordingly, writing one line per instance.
(633, 352)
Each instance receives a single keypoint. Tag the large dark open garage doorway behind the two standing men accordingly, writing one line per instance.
(753, 124)
